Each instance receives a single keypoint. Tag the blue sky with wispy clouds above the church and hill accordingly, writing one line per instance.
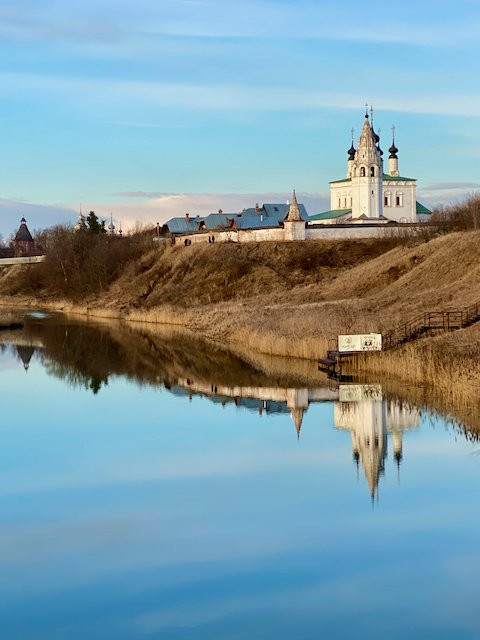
(159, 107)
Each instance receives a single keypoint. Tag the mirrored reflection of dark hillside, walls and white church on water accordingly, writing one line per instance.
(90, 354)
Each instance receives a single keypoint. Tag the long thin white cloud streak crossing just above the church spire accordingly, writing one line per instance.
(100, 93)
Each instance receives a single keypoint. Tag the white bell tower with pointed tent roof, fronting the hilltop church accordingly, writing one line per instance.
(367, 174)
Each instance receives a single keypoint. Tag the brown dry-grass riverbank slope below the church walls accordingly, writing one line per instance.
(292, 299)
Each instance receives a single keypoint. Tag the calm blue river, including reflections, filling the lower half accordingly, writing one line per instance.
(155, 489)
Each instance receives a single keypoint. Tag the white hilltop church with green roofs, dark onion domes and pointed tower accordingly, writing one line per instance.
(369, 195)
